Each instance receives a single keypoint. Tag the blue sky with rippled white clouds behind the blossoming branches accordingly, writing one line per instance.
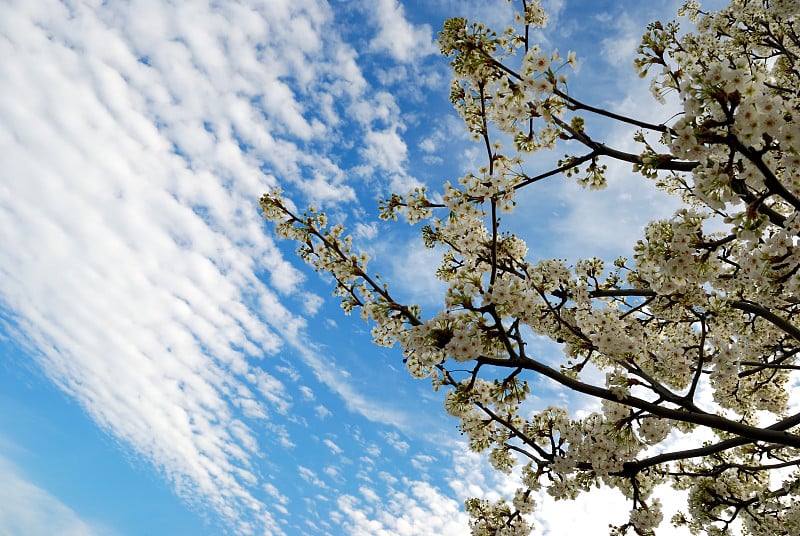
(166, 366)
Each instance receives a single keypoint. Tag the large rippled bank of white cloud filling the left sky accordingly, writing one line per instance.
(136, 138)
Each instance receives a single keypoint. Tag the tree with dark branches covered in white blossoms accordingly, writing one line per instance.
(693, 313)
